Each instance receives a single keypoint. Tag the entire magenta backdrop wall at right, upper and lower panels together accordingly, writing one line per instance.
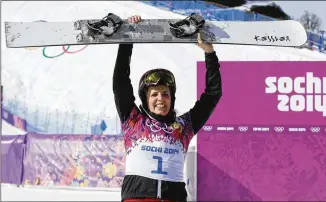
(252, 150)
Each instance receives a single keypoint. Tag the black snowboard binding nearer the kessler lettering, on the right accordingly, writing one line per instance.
(188, 26)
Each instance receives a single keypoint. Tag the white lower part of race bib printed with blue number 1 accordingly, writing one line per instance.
(157, 160)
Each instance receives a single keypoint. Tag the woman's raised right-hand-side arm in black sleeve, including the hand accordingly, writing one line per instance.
(205, 106)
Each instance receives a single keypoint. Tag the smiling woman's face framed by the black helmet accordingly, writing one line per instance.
(159, 99)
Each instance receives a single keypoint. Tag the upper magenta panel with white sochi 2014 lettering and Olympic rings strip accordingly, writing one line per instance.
(269, 97)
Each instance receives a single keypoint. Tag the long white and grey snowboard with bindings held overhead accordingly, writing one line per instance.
(114, 30)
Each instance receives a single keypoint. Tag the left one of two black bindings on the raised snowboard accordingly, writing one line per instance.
(107, 26)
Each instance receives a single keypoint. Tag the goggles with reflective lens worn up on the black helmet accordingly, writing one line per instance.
(160, 77)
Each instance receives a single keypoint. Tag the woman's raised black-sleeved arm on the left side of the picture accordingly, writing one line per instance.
(122, 87)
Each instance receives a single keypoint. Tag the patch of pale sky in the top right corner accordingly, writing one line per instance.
(296, 8)
